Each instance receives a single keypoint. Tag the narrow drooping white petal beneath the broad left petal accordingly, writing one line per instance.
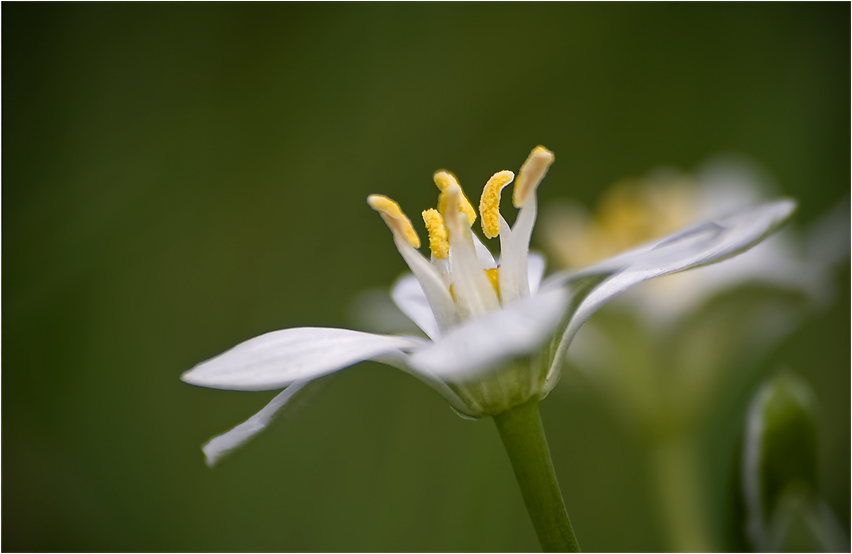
(226, 443)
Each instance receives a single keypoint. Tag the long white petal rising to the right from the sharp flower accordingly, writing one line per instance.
(698, 245)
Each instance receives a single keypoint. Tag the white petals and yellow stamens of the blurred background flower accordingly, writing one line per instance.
(666, 200)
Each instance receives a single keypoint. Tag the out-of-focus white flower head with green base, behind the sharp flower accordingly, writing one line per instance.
(693, 327)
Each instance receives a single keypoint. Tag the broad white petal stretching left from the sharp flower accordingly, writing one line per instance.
(276, 359)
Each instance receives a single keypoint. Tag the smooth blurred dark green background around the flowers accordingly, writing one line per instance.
(178, 178)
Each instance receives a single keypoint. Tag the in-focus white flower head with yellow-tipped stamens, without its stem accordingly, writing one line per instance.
(497, 333)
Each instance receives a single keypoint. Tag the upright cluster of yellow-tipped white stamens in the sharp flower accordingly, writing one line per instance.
(461, 280)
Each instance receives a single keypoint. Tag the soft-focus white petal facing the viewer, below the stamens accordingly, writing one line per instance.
(487, 342)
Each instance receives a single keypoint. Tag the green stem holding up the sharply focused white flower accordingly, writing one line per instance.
(523, 436)
